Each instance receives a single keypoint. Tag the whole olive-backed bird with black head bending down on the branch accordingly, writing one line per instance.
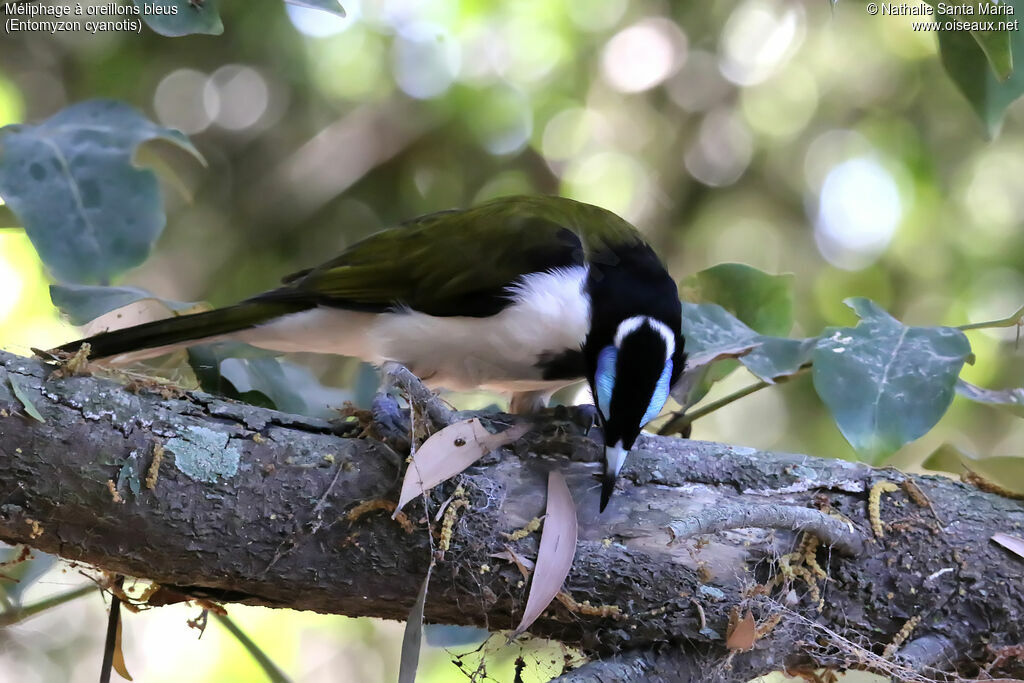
(521, 295)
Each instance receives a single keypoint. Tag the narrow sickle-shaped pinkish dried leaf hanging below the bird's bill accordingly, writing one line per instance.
(554, 560)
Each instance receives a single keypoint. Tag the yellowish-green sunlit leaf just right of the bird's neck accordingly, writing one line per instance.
(762, 302)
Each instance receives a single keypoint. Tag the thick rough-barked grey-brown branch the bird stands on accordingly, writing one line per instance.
(251, 506)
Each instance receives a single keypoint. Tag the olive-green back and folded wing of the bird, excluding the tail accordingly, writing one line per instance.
(455, 263)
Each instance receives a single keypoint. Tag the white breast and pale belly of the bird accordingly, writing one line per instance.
(549, 314)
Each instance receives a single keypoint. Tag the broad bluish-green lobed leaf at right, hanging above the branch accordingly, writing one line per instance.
(887, 385)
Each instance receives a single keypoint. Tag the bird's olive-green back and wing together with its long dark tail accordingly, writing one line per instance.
(447, 264)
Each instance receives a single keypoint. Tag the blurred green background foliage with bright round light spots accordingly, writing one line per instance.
(793, 137)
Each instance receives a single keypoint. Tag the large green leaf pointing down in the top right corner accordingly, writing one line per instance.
(980, 65)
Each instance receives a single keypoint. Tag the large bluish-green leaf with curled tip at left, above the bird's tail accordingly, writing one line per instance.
(91, 214)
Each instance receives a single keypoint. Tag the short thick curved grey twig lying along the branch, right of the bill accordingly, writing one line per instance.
(832, 531)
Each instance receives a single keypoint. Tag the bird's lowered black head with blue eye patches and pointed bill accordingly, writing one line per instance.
(634, 352)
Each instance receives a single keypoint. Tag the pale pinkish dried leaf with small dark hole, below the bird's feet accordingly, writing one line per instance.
(450, 452)
